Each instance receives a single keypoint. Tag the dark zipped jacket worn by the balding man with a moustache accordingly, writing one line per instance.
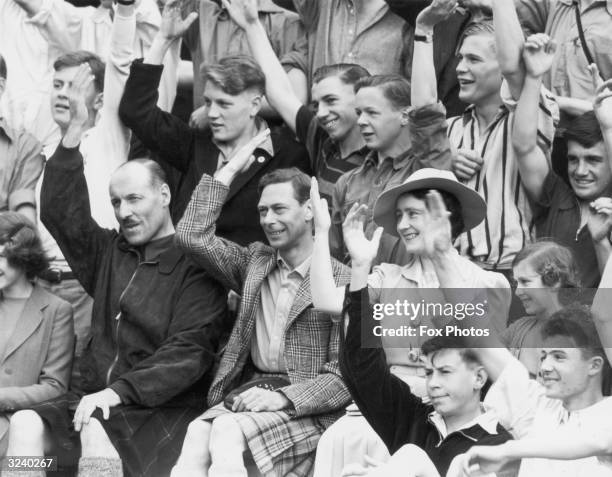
(156, 322)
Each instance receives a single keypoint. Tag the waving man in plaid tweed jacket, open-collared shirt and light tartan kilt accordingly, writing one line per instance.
(277, 332)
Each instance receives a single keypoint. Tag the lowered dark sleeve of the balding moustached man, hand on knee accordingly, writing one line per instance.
(189, 349)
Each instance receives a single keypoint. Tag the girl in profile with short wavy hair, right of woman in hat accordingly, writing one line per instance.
(547, 279)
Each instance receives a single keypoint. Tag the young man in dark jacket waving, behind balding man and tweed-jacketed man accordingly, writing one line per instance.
(233, 92)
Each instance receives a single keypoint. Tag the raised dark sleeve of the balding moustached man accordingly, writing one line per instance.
(65, 212)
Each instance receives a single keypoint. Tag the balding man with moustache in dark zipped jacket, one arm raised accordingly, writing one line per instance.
(155, 325)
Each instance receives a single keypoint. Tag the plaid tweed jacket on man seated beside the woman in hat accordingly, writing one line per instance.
(311, 338)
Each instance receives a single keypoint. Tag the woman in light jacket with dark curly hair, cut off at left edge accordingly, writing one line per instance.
(36, 328)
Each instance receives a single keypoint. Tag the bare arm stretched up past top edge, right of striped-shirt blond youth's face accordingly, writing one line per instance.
(509, 41)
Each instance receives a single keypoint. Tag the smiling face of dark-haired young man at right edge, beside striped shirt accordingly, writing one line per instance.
(588, 170)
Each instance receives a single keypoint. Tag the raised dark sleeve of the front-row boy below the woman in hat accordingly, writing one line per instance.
(384, 400)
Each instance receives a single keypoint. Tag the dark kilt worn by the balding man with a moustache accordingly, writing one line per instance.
(148, 440)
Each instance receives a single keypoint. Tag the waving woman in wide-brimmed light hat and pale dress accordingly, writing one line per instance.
(402, 211)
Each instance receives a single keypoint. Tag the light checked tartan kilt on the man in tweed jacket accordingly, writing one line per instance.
(280, 445)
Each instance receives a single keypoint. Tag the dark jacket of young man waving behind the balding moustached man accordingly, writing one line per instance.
(193, 153)
